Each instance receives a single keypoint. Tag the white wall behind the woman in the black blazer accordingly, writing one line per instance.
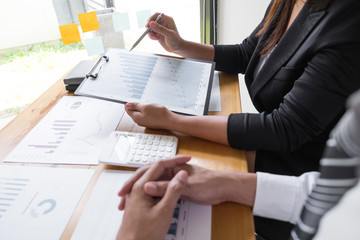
(236, 20)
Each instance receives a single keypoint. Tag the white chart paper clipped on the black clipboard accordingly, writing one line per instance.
(182, 85)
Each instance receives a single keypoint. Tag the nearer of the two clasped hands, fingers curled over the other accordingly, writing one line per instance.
(144, 216)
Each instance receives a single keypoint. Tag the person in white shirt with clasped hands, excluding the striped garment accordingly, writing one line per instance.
(271, 196)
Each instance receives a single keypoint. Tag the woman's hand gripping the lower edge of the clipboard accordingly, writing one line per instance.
(150, 115)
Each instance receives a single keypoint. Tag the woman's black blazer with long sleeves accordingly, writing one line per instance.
(300, 92)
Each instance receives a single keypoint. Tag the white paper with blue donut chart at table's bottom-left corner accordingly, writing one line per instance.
(37, 202)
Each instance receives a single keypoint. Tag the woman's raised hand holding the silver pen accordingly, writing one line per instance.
(165, 32)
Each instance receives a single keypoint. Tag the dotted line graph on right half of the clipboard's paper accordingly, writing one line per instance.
(177, 83)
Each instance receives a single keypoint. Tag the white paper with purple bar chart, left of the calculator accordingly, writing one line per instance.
(71, 133)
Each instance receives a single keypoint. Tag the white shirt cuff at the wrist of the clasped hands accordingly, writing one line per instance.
(282, 197)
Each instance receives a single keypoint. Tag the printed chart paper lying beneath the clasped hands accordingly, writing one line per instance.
(101, 219)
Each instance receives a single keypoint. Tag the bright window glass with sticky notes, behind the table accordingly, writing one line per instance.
(32, 53)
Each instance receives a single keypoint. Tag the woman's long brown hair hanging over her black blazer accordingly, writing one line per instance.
(281, 11)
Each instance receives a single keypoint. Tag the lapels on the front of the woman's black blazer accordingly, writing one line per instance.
(287, 46)
